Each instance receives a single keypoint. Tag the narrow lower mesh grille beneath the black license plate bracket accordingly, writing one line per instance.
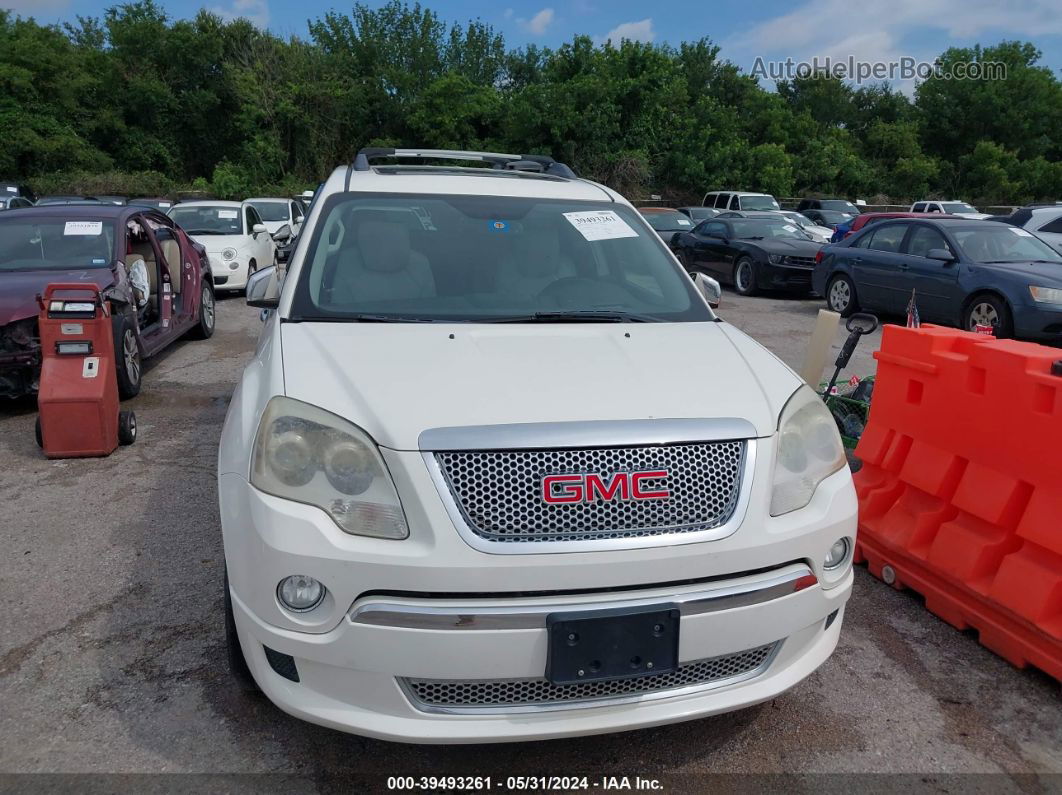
(472, 695)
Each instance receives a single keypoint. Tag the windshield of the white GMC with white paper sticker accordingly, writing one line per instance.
(488, 260)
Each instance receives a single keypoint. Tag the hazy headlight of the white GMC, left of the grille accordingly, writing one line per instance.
(306, 455)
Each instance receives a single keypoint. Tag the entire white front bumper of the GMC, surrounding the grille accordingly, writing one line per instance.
(355, 660)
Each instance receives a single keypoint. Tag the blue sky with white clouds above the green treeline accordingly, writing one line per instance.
(773, 30)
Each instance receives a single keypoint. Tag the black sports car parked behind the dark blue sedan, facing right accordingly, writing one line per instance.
(753, 254)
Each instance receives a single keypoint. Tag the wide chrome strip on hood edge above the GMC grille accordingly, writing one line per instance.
(590, 434)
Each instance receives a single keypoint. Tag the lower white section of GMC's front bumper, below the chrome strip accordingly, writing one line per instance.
(356, 678)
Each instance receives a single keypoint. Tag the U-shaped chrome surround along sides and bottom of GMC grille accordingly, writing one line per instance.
(546, 547)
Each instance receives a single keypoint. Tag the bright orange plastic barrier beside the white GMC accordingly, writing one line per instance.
(961, 494)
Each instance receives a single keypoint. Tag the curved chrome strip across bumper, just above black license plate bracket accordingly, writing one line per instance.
(713, 598)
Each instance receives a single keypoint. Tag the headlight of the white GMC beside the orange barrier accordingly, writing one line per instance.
(810, 451)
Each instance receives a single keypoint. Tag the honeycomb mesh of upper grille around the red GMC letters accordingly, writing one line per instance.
(500, 493)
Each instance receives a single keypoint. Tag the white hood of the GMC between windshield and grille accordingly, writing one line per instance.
(397, 381)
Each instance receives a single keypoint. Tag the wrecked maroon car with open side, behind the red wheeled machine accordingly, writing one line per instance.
(99, 245)
